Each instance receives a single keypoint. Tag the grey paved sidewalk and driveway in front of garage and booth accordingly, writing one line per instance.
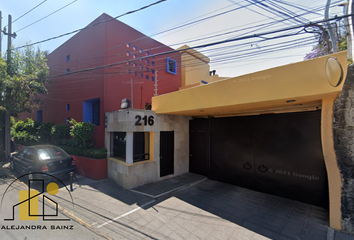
(190, 207)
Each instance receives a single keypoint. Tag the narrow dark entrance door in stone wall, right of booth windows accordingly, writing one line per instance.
(166, 153)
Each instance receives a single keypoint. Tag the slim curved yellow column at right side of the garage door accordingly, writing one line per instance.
(333, 173)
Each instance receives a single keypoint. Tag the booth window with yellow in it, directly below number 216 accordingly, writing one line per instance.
(141, 146)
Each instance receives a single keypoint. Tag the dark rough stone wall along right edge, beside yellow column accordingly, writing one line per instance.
(343, 134)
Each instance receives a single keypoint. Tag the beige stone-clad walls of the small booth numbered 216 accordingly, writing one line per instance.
(136, 174)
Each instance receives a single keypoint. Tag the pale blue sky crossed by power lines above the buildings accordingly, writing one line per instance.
(236, 18)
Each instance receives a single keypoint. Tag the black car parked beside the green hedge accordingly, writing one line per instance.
(47, 159)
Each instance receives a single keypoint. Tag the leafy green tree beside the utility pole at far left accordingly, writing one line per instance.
(22, 77)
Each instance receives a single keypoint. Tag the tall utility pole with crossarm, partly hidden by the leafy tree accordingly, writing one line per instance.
(7, 114)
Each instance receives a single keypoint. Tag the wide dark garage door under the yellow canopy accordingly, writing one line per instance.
(279, 154)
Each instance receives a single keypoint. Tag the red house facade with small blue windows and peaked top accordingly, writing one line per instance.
(101, 65)
